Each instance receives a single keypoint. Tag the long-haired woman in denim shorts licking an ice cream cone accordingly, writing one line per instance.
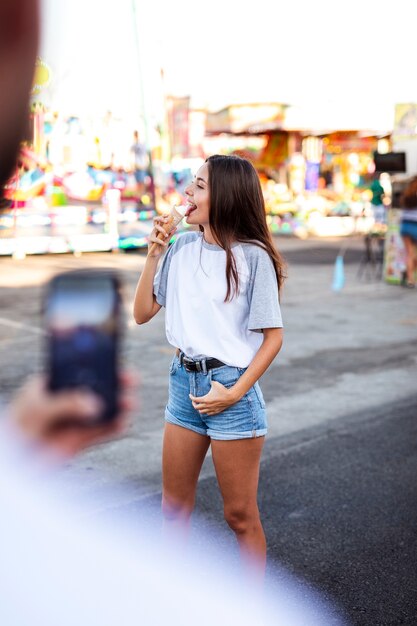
(220, 289)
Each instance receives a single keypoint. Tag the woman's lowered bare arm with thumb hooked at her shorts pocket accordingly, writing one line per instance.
(220, 397)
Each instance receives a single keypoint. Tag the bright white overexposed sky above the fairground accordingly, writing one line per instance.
(338, 60)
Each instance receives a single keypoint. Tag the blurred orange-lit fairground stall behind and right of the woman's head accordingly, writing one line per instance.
(315, 181)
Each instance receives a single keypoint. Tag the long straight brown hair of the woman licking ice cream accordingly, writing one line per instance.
(237, 214)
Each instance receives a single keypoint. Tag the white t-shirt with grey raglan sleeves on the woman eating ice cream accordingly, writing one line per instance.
(191, 284)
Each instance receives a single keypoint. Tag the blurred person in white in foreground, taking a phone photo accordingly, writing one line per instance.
(57, 565)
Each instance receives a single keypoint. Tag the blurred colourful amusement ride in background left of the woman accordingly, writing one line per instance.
(91, 209)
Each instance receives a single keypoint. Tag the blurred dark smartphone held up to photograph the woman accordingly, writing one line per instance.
(83, 320)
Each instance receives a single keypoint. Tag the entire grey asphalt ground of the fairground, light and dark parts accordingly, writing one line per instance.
(337, 490)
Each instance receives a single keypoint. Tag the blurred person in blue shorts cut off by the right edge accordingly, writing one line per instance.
(408, 231)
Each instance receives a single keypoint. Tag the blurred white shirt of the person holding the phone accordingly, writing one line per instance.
(60, 567)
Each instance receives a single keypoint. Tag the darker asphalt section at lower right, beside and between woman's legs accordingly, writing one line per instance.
(338, 505)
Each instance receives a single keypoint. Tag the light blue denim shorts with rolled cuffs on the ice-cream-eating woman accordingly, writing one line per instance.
(244, 419)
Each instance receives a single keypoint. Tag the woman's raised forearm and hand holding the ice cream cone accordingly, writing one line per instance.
(145, 305)
